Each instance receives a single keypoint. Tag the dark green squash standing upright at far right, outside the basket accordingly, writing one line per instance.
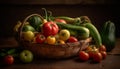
(108, 35)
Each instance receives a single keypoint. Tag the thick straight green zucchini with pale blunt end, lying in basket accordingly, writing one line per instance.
(80, 31)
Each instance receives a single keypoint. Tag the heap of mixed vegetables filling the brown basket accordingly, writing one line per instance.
(58, 30)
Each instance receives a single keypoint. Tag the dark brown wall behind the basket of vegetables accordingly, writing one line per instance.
(12, 11)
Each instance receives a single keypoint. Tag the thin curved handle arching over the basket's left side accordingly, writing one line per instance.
(24, 21)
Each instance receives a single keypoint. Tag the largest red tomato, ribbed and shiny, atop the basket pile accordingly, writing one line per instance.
(50, 28)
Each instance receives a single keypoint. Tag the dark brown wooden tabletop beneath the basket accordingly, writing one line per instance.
(111, 62)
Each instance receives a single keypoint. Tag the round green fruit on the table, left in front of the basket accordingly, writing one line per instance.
(26, 56)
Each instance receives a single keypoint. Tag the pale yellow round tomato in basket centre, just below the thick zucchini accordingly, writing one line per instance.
(64, 34)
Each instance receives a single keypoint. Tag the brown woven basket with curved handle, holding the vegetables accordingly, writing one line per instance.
(53, 51)
